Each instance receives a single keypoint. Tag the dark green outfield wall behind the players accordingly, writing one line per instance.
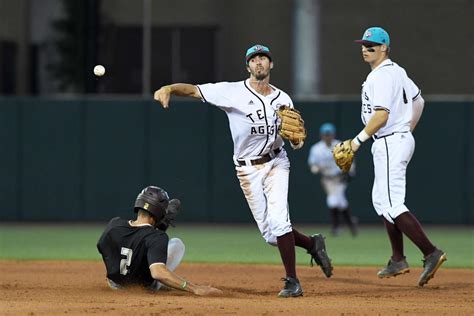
(86, 160)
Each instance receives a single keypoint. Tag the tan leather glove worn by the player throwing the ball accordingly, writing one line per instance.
(292, 125)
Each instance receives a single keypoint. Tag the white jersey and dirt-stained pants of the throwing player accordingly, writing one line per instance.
(254, 127)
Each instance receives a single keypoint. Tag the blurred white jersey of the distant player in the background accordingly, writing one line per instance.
(321, 156)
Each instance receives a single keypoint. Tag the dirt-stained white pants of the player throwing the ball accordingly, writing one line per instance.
(265, 187)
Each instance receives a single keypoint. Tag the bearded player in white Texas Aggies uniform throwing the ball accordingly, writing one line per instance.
(261, 163)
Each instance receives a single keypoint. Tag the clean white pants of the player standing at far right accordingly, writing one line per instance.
(391, 156)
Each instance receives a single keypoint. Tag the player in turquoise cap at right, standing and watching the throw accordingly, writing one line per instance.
(391, 107)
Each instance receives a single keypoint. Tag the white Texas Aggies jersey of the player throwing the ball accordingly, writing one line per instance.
(252, 118)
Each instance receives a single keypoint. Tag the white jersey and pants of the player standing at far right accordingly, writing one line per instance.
(388, 87)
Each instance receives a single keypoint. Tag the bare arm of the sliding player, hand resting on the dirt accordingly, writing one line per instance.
(161, 273)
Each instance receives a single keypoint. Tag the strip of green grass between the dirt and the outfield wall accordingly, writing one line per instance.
(233, 244)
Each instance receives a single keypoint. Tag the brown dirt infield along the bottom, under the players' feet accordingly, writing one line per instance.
(72, 287)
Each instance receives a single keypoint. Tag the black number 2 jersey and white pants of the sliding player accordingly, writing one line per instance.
(129, 251)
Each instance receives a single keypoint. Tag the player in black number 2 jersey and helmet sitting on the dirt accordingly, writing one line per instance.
(139, 252)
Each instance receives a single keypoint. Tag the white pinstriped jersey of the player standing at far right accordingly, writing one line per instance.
(388, 87)
